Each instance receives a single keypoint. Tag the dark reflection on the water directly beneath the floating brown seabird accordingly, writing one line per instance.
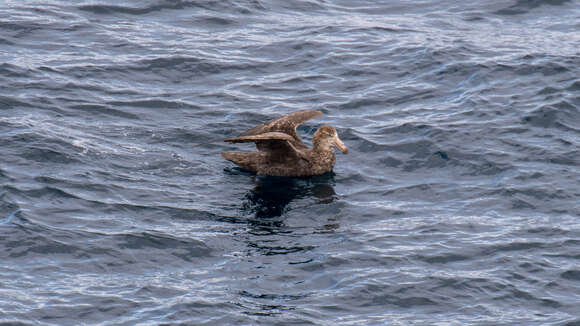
(271, 195)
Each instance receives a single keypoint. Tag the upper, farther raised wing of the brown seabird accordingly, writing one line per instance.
(286, 124)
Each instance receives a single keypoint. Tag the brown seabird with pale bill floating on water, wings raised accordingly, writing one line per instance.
(282, 153)
